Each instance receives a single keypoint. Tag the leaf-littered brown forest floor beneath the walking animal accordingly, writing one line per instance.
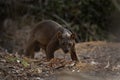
(98, 60)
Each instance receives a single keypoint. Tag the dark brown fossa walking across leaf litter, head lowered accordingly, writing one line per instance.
(50, 36)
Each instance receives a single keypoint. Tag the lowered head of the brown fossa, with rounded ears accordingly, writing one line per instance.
(66, 40)
